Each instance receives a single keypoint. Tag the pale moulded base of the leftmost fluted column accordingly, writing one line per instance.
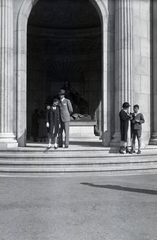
(7, 140)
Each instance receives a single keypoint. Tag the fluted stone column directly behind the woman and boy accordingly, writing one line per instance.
(123, 61)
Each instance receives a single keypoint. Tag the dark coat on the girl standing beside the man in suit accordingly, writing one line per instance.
(53, 117)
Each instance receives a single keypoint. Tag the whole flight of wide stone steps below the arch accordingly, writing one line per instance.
(76, 160)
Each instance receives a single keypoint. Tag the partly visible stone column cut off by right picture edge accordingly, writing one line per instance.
(153, 139)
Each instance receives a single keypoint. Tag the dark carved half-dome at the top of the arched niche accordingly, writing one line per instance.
(64, 14)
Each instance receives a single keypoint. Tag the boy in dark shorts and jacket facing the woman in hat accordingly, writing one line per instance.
(136, 128)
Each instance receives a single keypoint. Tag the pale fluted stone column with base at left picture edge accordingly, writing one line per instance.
(7, 138)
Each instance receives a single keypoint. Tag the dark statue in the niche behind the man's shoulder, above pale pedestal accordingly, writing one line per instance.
(80, 105)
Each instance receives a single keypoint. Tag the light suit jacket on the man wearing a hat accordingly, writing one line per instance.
(65, 110)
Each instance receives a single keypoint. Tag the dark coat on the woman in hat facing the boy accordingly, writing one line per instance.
(124, 123)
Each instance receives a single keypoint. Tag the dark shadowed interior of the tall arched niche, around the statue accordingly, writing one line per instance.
(64, 47)
